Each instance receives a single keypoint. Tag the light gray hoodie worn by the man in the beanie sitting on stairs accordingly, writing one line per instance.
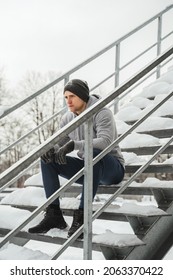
(104, 131)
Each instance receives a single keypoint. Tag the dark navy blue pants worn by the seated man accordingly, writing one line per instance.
(107, 171)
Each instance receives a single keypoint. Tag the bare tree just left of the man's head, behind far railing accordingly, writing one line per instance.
(45, 105)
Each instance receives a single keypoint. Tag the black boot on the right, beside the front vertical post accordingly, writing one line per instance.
(78, 219)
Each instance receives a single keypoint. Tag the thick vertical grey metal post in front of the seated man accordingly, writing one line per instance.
(88, 189)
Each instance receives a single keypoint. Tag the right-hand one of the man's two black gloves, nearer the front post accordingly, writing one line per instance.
(60, 155)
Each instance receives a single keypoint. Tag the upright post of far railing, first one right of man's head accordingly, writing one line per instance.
(117, 73)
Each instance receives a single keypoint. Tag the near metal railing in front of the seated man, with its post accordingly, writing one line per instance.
(84, 117)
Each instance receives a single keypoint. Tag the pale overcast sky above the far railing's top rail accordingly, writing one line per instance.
(55, 35)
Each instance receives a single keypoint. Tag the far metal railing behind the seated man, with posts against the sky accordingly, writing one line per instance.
(115, 74)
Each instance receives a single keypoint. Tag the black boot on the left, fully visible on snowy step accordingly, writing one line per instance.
(53, 218)
